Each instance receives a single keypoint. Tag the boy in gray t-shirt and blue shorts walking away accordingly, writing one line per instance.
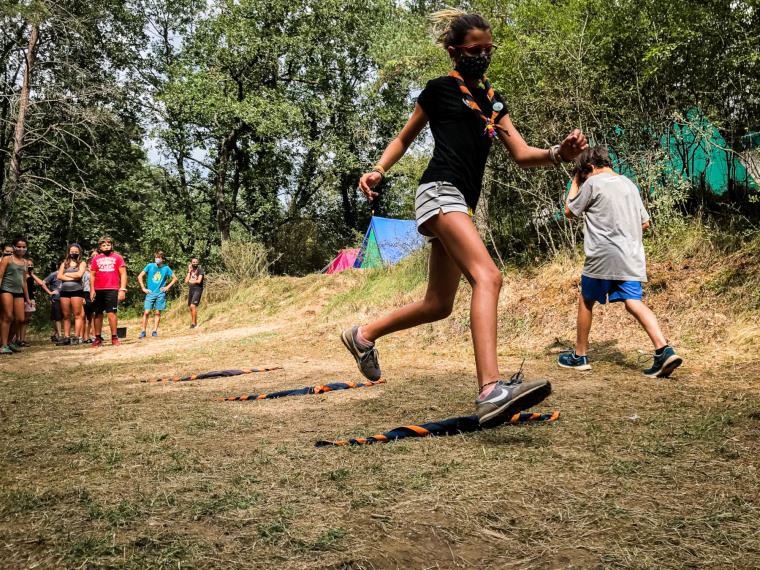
(614, 219)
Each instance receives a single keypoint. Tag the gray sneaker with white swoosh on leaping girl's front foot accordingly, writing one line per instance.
(509, 398)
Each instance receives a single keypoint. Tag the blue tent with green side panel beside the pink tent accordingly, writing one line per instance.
(387, 242)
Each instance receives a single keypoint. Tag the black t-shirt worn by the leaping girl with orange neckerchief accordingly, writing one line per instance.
(461, 143)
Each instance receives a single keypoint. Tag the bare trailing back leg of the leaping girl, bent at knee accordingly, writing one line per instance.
(443, 282)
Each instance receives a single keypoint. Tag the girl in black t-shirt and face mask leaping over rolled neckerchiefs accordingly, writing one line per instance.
(465, 115)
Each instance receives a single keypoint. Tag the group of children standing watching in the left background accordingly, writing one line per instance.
(82, 290)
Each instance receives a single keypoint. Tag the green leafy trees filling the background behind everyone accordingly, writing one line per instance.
(259, 116)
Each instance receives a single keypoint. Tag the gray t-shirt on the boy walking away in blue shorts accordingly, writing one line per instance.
(613, 235)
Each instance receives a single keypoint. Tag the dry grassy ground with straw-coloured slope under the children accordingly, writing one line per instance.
(101, 470)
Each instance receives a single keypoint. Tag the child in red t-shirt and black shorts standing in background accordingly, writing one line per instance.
(108, 287)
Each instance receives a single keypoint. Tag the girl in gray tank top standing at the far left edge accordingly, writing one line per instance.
(13, 294)
